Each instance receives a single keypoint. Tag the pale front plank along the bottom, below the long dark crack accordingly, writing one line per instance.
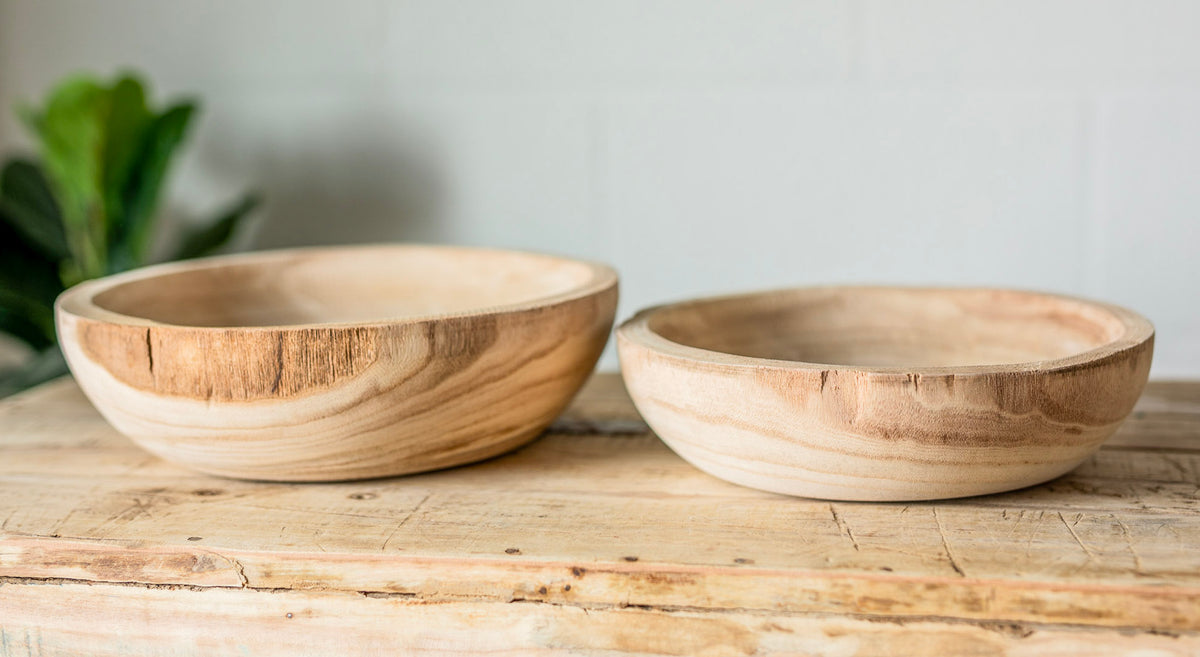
(46, 619)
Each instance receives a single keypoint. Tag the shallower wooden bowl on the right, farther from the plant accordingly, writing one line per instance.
(886, 394)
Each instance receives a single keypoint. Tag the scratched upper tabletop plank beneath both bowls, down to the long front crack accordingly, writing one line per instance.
(601, 514)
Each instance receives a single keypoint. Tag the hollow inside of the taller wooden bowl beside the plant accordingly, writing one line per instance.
(344, 286)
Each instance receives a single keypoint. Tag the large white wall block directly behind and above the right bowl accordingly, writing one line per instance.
(712, 192)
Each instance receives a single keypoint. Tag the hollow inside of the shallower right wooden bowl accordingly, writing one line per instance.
(892, 327)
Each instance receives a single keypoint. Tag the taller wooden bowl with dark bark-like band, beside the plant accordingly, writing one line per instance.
(338, 364)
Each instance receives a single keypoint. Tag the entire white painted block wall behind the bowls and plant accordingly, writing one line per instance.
(699, 146)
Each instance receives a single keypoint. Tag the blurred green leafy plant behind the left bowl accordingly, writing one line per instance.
(87, 207)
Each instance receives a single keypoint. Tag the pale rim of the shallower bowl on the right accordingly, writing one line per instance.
(1137, 331)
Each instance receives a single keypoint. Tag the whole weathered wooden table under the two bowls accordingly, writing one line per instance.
(595, 540)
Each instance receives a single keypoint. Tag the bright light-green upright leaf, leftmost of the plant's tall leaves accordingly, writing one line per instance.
(73, 135)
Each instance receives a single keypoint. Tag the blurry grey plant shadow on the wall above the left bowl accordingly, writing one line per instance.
(328, 174)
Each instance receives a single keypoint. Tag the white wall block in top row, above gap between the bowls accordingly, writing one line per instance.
(616, 40)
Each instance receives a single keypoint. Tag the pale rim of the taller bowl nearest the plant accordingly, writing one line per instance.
(79, 302)
